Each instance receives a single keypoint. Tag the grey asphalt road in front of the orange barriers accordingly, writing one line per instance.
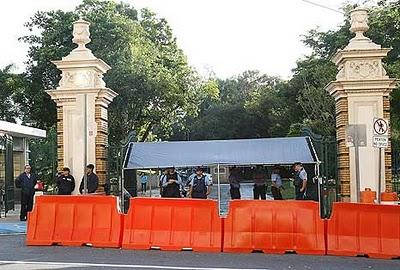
(15, 255)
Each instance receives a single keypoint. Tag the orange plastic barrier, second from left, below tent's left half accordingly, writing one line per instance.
(173, 224)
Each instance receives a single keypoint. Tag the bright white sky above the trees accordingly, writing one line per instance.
(224, 37)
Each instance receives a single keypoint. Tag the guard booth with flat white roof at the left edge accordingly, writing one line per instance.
(14, 155)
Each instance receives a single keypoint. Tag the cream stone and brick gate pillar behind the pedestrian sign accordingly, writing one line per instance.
(361, 92)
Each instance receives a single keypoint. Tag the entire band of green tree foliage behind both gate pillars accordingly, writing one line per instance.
(162, 97)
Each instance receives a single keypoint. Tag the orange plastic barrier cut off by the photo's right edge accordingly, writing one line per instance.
(364, 229)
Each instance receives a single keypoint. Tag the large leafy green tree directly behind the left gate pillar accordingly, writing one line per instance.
(150, 73)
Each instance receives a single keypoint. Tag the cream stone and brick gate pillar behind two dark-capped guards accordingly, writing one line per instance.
(81, 92)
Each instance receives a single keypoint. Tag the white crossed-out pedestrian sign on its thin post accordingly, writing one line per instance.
(380, 141)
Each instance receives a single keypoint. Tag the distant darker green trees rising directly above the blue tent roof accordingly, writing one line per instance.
(250, 105)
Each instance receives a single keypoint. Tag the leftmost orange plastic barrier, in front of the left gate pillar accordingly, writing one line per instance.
(75, 221)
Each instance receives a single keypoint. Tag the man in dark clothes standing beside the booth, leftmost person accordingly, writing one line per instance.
(26, 181)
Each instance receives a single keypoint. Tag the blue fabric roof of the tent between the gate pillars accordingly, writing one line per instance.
(270, 151)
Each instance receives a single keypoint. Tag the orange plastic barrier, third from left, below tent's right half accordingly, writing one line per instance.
(274, 227)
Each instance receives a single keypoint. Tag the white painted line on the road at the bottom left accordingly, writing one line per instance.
(132, 266)
